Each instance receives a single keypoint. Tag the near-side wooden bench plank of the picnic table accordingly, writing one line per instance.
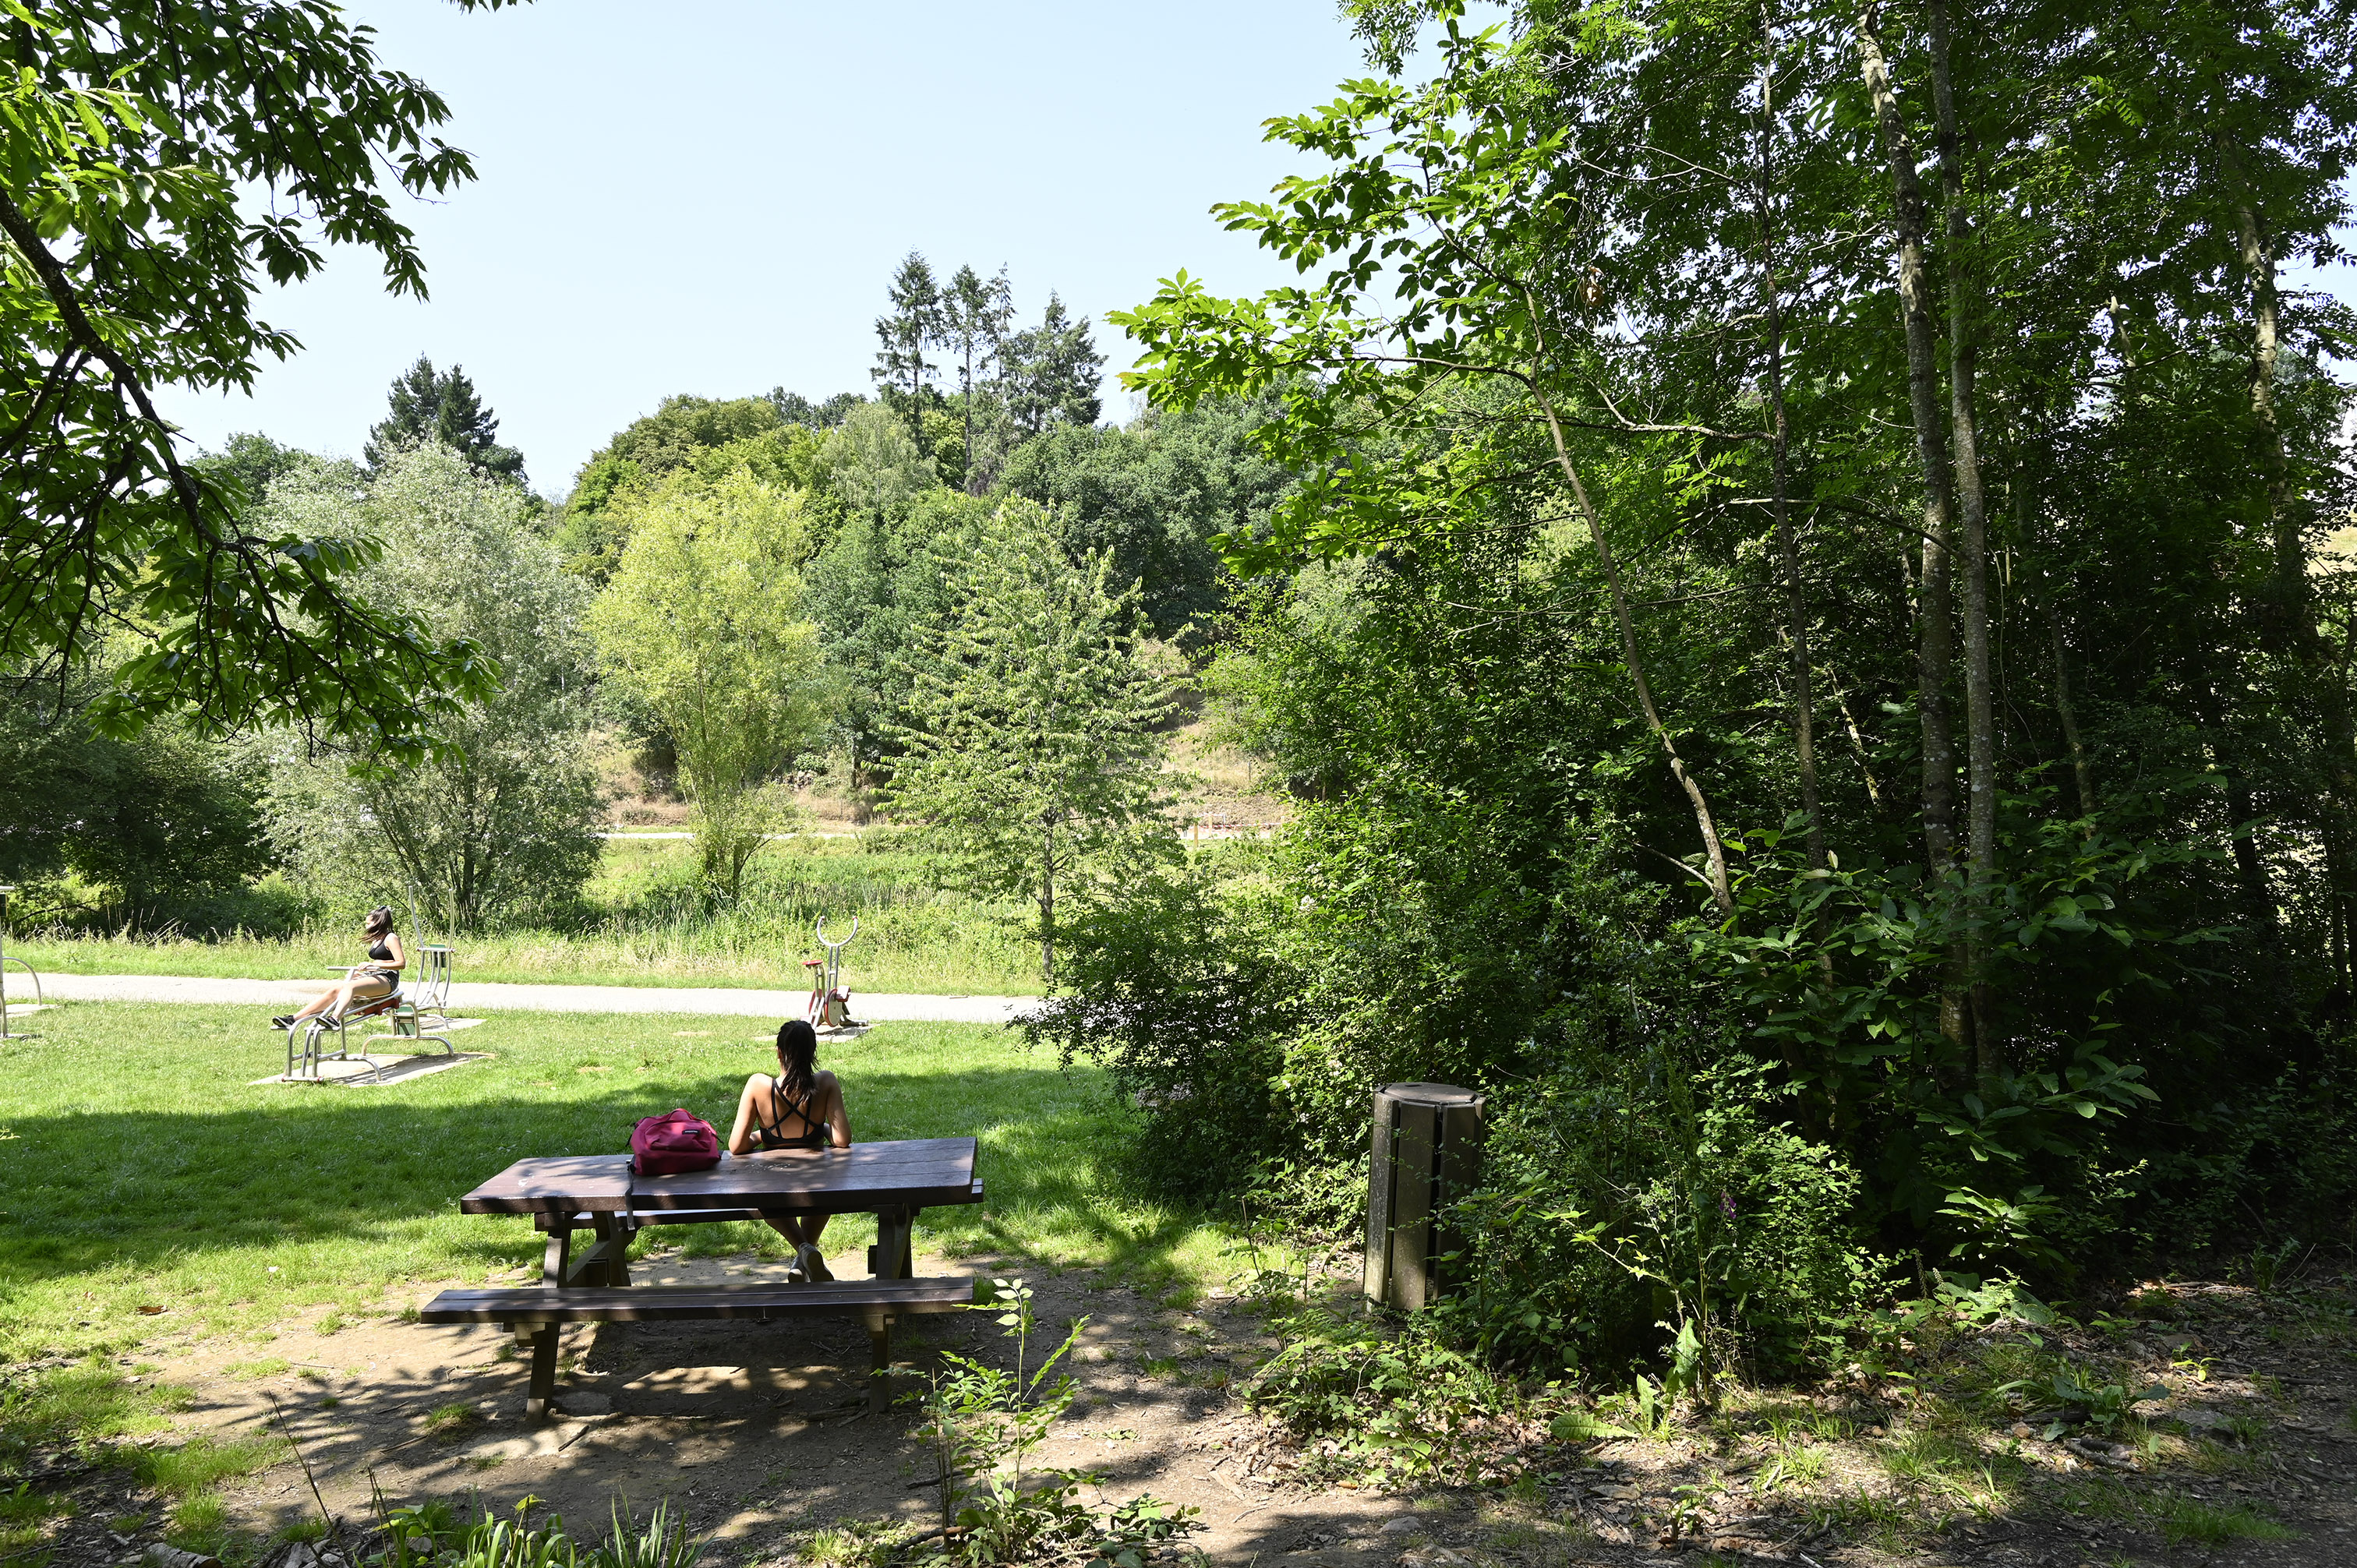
(682, 1303)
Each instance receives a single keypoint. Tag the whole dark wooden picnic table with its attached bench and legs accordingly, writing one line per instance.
(602, 1197)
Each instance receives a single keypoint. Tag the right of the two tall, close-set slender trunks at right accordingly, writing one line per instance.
(1974, 501)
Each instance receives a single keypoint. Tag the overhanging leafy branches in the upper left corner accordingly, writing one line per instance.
(128, 147)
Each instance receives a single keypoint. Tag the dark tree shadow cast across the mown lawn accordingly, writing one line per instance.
(138, 1190)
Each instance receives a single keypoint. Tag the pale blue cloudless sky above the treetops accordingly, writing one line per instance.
(711, 195)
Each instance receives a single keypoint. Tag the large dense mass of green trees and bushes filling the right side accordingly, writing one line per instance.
(1623, 737)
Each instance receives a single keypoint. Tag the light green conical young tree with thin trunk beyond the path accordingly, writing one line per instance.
(1031, 744)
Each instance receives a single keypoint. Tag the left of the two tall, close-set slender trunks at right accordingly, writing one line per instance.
(1936, 645)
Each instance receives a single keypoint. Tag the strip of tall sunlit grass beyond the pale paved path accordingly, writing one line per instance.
(645, 925)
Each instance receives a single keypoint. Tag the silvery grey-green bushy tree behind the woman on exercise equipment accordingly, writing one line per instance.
(508, 824)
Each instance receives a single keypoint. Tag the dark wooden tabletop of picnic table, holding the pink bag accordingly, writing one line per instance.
(902, 1175)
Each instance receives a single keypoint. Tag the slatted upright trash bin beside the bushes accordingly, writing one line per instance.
(1425, 1154)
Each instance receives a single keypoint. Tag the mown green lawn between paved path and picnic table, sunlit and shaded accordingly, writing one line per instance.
(150, 1192)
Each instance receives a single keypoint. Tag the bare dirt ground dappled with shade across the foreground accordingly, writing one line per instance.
(758, 1435)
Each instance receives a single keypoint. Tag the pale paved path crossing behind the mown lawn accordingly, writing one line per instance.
(482, 996)
